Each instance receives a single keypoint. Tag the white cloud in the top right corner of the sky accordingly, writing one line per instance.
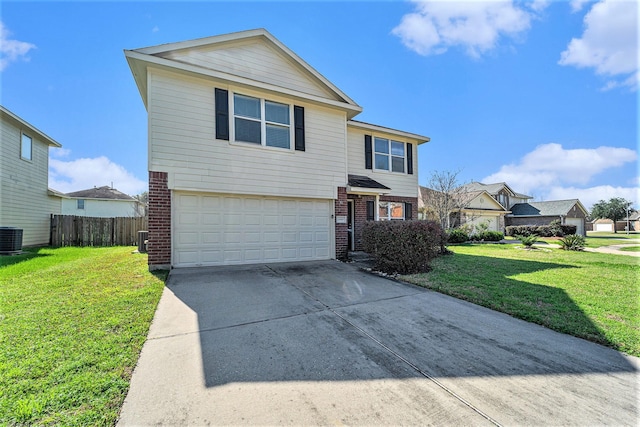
(609, 43)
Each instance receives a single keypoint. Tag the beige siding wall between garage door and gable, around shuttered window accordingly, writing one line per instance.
(182, 143)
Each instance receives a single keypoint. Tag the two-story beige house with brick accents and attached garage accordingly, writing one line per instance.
(255, 157)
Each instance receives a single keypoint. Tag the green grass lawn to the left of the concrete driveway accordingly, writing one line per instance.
(72, 324)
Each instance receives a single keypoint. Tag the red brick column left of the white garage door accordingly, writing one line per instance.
(159, 243)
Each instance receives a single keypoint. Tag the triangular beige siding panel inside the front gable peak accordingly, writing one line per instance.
(253, 60)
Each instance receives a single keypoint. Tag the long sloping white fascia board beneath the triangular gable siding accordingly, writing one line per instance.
(142, 61)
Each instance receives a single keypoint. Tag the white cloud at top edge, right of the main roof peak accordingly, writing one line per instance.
(476, 26)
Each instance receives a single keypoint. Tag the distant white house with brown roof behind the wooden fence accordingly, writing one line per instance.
(101, 202)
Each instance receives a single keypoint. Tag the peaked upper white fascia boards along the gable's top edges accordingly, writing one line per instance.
(243, 35)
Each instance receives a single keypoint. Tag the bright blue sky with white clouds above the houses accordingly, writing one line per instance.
(542, 95)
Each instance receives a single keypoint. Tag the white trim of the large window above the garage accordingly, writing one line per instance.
(263, 122)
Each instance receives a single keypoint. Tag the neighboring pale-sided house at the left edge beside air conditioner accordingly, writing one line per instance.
(24, 166)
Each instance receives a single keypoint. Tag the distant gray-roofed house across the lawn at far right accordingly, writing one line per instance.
(569, 212)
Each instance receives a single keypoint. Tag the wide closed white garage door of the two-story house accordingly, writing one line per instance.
(213, 230)
